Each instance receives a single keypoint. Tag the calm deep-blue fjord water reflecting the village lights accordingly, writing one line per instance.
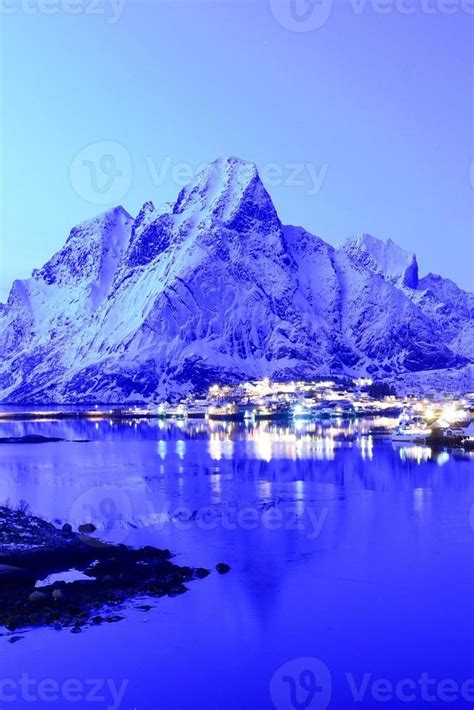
(347, 550)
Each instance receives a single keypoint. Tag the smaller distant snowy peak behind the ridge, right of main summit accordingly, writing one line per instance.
(384, 257)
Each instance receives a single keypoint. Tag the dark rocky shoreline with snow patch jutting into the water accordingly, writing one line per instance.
(32, 549)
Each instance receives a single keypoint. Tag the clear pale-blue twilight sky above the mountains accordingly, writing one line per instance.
(359, 114)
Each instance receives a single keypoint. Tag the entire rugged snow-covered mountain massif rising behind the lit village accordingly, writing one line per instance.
(215, 288)
